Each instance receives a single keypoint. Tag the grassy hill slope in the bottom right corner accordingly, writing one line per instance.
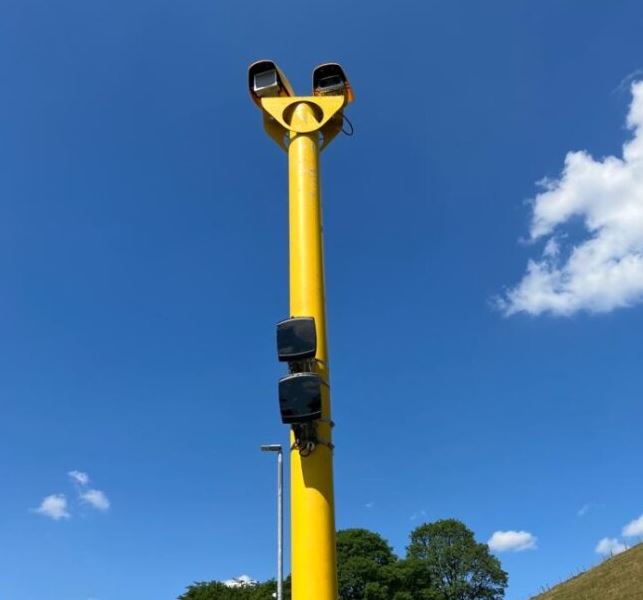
(618, 578)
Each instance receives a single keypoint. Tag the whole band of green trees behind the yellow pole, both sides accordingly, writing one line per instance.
(443, 562)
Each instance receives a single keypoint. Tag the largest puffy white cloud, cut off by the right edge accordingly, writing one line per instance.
(604, 270)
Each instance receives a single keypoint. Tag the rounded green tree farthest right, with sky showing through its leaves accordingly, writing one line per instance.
(457, 567)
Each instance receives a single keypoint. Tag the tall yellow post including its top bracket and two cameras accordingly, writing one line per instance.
(303, 126)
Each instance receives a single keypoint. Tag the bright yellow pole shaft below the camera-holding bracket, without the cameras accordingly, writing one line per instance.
(314, 570)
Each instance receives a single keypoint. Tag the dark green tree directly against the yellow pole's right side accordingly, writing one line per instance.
(361, 557)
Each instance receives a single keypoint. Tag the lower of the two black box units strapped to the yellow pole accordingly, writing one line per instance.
(300, 398)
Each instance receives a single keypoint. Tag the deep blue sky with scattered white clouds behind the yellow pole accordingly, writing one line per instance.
(143, 265)
